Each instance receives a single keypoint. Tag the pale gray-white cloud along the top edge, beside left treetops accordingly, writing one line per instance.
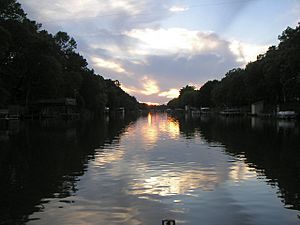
(116, 15)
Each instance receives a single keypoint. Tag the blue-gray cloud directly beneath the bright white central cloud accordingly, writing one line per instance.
(182, 69)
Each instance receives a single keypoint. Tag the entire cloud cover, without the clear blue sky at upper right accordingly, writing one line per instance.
(126, 40)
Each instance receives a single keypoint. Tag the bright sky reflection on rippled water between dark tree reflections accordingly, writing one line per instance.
(154, 171)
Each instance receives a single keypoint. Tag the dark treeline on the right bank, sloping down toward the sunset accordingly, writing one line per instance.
(273, 78)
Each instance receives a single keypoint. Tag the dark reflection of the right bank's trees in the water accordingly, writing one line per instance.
(268, 146)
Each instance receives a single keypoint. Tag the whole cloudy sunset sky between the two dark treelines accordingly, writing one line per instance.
(156, 47)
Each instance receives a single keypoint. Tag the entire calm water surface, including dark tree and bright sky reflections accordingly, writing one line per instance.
(140, 171)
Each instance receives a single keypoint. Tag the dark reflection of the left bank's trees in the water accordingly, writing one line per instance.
(44, 160)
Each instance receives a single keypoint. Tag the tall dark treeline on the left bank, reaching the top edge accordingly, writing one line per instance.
(35, 65)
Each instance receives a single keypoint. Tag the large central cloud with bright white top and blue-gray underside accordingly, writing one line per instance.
(181, 55)
